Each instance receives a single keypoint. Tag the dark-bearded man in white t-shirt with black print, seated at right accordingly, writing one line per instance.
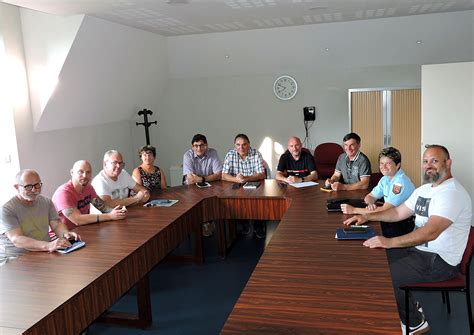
(432, 252)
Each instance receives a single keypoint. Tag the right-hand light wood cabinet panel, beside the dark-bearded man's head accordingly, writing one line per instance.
(406, 130)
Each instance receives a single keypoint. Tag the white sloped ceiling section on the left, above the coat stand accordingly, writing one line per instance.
(110, 72)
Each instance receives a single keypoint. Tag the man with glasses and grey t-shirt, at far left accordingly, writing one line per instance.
(26, 219)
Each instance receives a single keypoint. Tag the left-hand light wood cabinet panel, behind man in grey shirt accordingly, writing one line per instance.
(367, 123)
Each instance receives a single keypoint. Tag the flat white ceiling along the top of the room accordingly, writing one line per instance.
(185, 17)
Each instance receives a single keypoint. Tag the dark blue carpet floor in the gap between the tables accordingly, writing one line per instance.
(194, 299)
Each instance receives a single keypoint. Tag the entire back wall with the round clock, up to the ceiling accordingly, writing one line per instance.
(220, 96)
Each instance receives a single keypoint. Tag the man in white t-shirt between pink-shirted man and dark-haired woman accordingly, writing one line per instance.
(113, 183)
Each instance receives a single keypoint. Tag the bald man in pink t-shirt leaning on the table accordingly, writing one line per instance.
(72, 200)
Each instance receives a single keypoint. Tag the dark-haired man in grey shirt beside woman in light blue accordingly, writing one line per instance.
(352, 168)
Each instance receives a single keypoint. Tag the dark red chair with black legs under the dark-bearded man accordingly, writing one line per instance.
(461, 283)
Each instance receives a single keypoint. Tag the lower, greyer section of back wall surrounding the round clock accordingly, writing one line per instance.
(221, 107)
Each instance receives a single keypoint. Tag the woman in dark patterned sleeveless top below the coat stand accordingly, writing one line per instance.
(148, 174)
